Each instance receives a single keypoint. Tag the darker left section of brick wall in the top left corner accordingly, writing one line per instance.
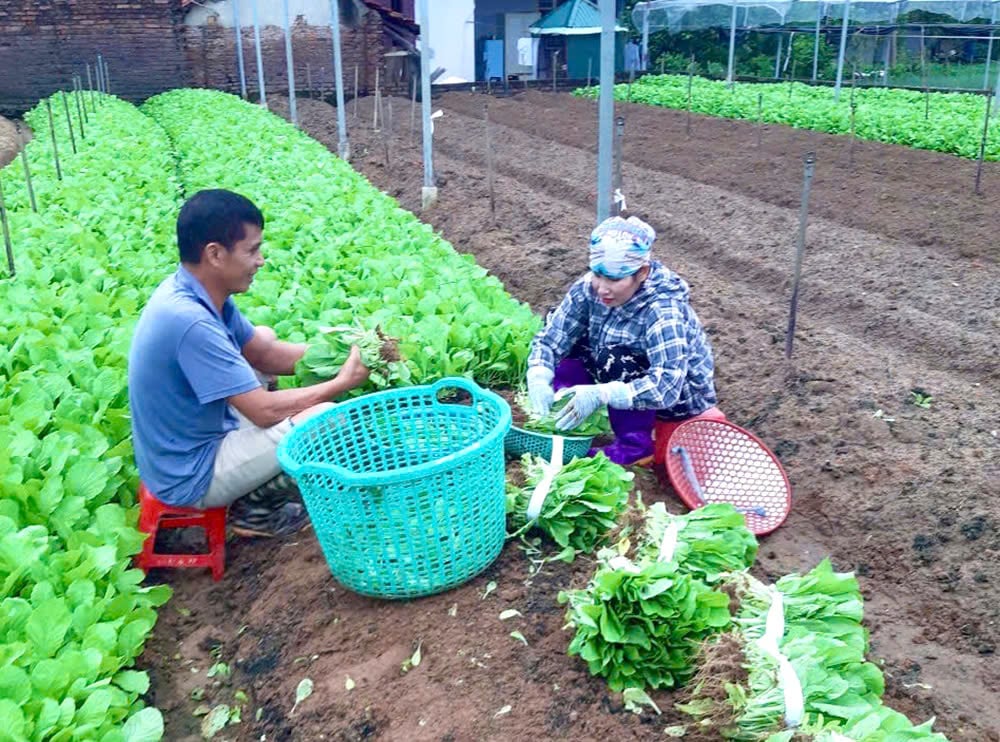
(43, 43)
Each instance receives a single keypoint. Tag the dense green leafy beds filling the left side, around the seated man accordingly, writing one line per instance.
(74, 615)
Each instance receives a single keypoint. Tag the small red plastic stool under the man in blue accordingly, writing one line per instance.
(154, 515)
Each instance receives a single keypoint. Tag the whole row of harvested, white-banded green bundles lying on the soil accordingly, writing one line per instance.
(672, 605)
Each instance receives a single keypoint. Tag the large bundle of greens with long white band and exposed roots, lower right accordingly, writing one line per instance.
(822, 640)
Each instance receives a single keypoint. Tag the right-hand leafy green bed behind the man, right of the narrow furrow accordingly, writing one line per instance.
(340, 252)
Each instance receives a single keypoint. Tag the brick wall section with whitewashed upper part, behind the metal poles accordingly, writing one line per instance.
(211, 55)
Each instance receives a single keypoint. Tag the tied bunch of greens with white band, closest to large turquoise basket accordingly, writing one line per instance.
(583, 502)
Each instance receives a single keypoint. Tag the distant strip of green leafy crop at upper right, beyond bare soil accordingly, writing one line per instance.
(942, 122)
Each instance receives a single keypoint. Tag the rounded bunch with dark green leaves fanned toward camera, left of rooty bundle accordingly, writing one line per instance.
(639, 627)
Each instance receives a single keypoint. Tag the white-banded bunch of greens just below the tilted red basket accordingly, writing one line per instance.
(708, 542)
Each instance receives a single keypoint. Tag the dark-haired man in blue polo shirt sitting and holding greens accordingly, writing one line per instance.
(204, 427)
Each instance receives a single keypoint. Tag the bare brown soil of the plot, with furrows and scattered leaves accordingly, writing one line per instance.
(901, 291)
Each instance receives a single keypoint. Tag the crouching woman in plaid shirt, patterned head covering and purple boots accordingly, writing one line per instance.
(626, 336)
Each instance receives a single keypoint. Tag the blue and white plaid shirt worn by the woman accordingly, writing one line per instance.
(657, 320)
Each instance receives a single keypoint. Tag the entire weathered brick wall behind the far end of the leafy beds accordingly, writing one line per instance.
(149, 49)
